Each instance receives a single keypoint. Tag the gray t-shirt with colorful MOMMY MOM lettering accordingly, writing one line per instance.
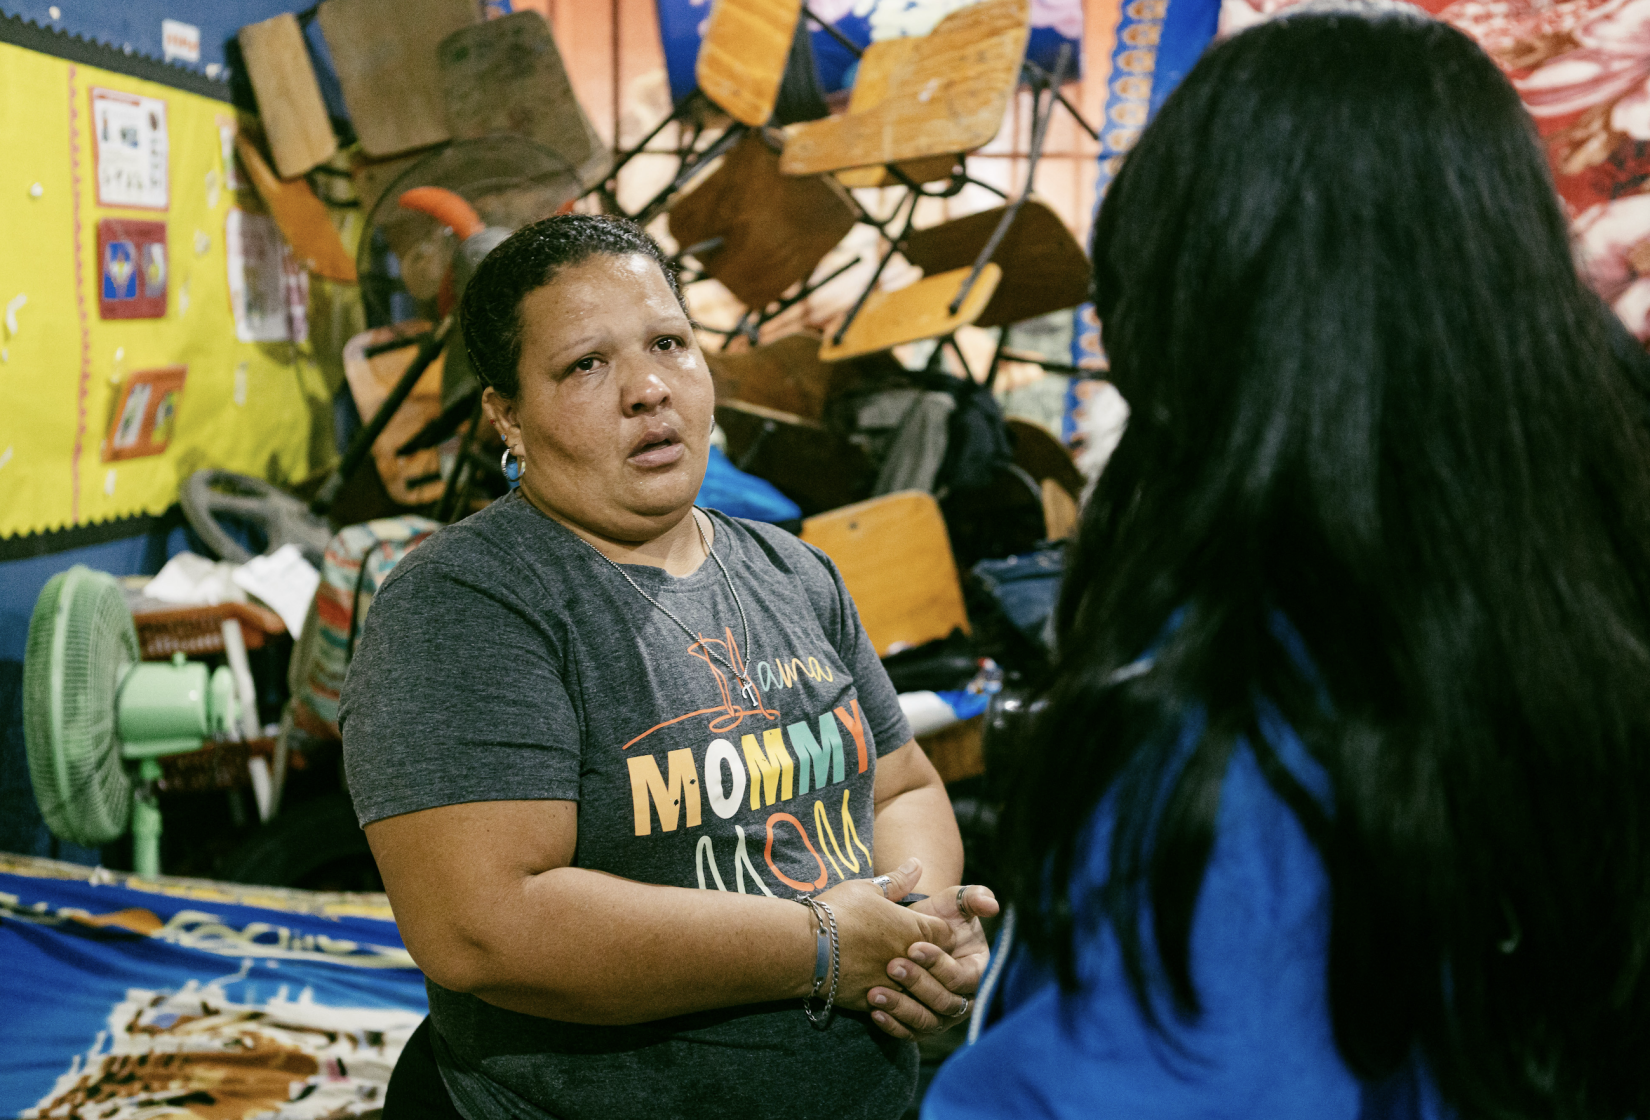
(507, 661)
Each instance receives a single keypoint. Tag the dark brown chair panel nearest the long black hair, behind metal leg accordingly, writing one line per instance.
(1044, 266)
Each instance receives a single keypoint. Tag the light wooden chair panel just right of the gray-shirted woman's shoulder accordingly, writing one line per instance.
(895, 558)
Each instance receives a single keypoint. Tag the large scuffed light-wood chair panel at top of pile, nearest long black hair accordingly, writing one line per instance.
(946, 95)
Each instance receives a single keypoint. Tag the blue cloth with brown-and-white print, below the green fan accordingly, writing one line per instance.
(181, 995)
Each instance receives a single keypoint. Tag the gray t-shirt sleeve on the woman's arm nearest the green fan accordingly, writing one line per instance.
(455, 697)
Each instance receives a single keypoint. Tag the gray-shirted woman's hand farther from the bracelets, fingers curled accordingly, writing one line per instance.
(936, 989)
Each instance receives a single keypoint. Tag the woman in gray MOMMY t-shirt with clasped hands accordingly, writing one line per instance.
(601, 740)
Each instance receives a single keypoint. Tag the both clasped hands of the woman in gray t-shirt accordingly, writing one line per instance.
(915, 969)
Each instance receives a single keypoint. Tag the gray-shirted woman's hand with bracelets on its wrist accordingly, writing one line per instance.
(872, 931)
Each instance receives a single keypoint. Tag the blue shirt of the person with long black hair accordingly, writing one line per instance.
(1263, 1045)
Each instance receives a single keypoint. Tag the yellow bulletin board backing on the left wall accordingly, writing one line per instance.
(253, 408)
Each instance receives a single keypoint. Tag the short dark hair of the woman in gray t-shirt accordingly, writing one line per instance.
(529, 260)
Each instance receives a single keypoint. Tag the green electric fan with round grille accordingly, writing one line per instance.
(98, 720)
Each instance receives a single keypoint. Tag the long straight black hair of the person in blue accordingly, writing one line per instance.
(1370, 397)
